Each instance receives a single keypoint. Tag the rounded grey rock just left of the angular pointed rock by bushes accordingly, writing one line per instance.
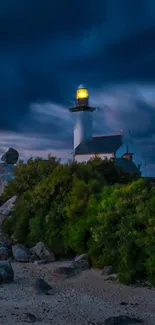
(21, 253)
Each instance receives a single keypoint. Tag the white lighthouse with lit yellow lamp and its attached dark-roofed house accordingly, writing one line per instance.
(87, 146)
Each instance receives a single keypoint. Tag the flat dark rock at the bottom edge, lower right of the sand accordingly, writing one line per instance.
(122, 320)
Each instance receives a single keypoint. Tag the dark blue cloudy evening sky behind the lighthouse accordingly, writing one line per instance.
(48, 48)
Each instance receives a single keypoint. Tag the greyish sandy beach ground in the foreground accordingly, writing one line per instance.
(85, 299)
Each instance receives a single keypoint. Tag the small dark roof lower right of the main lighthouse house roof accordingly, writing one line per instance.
(127, 165)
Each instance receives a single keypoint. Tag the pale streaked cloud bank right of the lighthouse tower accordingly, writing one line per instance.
(131, 110)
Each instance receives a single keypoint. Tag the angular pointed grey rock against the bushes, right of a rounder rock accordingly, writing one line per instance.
(42, 252)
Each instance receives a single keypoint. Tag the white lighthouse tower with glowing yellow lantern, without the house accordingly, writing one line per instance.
(83, 126)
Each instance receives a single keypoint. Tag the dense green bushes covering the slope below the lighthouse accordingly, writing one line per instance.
(93, 208)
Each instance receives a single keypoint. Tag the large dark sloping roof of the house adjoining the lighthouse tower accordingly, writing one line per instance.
(101, 144)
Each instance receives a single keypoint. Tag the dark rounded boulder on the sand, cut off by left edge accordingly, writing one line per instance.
(6, 272)
